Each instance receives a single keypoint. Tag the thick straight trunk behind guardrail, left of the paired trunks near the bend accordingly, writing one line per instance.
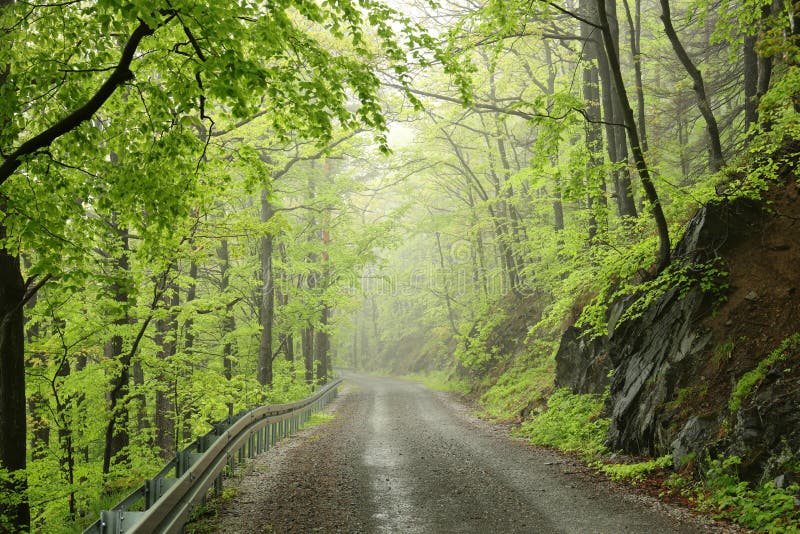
(267, 303)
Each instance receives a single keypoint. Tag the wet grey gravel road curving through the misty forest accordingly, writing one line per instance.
(402, 459)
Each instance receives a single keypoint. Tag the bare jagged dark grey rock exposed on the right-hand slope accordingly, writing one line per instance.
(655, 354)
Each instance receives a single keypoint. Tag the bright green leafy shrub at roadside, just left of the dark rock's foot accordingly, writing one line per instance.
(572, 423)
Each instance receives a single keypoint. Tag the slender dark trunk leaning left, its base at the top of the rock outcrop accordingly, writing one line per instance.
(663, 256)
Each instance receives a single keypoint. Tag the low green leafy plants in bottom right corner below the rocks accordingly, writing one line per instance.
(763, 508)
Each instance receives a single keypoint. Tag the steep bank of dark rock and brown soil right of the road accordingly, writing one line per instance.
(710, 367)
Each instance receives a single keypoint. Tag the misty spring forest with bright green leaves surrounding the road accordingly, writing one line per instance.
(208, 206)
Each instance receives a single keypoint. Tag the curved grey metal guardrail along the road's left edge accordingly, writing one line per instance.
(166, 502)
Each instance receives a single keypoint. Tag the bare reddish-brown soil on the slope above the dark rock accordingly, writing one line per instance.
(761, 307)
